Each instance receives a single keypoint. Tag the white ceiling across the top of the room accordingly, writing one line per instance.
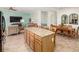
(33, 9)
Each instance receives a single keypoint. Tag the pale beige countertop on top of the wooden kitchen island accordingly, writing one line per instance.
(39, 31)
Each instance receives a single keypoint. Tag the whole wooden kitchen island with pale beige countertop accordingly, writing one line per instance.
(39, 40)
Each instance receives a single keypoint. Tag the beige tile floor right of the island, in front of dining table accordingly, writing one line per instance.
(66, 44)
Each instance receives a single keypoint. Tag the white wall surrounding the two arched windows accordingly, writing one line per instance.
(67, 11)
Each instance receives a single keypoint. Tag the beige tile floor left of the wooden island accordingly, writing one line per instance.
(16, 43)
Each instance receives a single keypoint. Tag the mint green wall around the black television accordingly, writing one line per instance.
(8, 13)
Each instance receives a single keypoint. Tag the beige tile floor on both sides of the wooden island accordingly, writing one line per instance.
(16, 43)
